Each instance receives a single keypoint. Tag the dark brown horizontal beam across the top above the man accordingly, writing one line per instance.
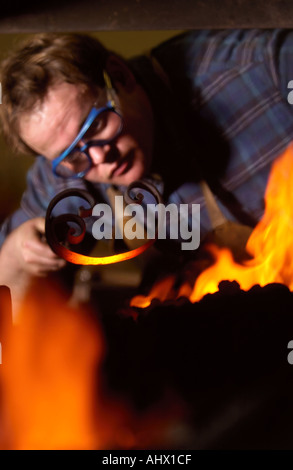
(110, 15)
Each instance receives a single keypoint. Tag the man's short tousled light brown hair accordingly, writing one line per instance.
(28, 72)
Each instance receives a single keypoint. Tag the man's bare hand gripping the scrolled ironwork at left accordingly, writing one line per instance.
(26, 251)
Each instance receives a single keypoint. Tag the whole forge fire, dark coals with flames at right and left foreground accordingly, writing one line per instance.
(197, 365)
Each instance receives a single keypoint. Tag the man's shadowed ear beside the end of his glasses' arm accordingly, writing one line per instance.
(120, 73)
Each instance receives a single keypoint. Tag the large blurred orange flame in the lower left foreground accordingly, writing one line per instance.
(50, 378)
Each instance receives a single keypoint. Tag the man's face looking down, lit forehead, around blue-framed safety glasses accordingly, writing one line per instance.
(53, 125)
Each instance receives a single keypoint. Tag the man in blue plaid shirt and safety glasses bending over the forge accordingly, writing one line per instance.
(207, 105)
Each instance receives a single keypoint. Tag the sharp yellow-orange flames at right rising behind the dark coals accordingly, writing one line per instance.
(269, 246)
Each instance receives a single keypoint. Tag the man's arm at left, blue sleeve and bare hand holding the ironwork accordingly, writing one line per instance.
(25, 254)
